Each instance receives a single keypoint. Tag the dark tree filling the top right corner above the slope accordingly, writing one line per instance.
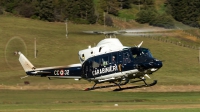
(187, 12)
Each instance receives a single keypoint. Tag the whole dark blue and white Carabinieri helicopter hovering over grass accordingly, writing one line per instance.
(109, 61)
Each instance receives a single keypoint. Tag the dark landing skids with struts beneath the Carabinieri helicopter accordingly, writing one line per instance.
(121, 84)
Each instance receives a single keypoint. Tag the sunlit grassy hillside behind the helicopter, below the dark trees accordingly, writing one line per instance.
(181, 66)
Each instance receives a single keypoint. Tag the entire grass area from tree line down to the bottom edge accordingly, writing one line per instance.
(180, 71)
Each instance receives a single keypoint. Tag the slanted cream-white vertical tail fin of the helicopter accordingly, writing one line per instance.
(26, 64)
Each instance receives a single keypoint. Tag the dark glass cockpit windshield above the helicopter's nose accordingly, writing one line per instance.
(137, 52)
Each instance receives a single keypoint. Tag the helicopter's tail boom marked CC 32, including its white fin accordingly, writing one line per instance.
(71, 71)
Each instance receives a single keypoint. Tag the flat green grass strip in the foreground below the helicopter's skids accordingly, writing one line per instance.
(73, 100)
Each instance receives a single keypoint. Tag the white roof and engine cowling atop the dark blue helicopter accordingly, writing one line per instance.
(104, 46)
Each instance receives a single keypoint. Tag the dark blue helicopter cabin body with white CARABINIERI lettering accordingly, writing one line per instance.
(104, 68)
